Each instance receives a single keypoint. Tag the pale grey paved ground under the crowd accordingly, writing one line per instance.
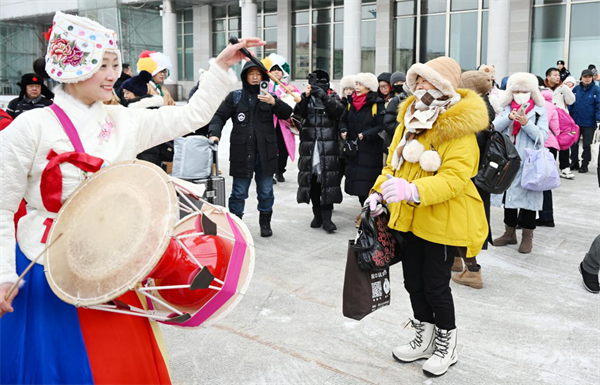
(532, 323)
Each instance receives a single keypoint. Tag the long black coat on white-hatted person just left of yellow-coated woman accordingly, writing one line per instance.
(362, 171)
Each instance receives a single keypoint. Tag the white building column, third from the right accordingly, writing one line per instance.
(352, 37)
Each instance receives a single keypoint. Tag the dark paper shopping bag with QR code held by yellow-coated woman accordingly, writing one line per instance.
(364, 291)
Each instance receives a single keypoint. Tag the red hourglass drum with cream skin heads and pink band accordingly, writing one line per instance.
(120, 231)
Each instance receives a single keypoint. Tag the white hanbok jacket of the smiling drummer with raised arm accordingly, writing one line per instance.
(113, 133)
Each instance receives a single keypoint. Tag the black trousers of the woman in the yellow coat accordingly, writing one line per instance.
(426, 268)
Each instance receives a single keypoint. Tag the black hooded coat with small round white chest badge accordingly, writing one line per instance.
(253, 130)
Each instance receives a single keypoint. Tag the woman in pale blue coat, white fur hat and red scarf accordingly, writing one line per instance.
(527, 130)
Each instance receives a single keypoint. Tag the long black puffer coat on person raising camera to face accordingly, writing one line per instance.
(320, 126)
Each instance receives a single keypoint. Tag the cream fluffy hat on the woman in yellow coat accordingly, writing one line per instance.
(443, 72)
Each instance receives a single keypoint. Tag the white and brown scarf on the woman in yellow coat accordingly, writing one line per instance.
(420, 116)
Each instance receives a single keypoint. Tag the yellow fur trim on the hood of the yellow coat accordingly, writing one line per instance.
(466, 117)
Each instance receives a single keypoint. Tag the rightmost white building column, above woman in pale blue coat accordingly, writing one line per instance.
(499, 37)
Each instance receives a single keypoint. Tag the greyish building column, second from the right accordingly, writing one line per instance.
(384, 36)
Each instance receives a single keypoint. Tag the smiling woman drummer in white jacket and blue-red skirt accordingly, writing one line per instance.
(45, 340)
